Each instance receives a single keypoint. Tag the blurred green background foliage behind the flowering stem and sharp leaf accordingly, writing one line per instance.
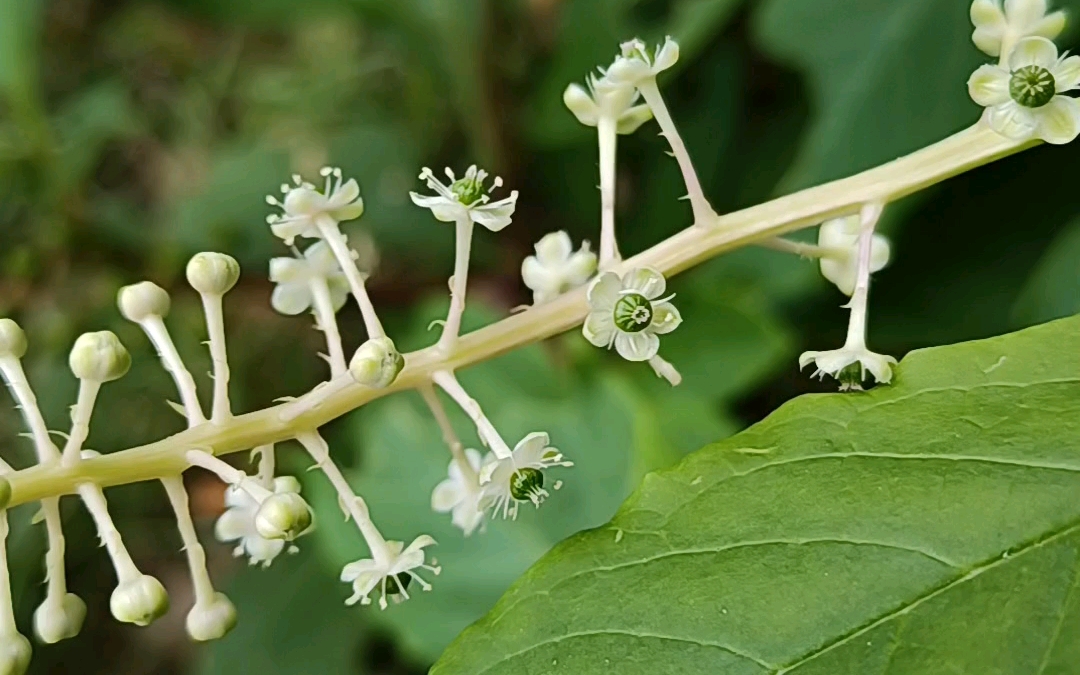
(134, 134)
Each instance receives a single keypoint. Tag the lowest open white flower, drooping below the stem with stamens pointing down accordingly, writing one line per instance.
(391, 575)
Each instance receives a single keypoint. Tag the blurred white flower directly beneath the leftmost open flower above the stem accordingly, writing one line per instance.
(294, 276)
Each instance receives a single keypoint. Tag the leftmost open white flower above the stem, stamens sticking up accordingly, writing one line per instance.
(304, 206)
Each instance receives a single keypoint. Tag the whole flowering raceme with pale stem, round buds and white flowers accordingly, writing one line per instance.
(622, 305)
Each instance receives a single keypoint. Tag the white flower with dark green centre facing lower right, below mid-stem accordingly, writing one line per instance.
(509, 482)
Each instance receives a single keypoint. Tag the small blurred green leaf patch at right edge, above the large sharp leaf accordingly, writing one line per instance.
(1054, 290)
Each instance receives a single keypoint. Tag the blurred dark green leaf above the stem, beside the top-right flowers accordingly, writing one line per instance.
(886, 78)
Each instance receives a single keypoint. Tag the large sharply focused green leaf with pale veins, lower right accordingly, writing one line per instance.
(927, 528)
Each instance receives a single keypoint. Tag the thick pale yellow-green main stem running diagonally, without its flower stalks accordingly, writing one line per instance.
(968, 150)
